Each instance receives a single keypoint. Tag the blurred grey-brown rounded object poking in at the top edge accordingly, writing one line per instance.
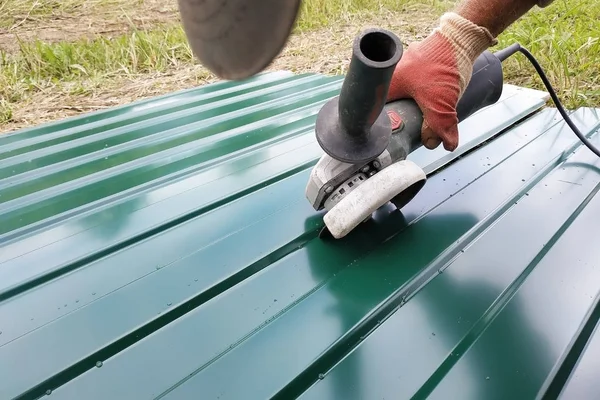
(236, 39)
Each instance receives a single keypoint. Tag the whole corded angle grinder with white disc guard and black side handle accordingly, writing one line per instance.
(366, 140)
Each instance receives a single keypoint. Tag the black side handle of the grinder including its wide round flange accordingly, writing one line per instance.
(352, 127)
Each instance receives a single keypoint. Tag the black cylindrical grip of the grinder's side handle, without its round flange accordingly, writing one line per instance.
(375, 54)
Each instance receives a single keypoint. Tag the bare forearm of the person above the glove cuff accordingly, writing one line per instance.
(496, 15)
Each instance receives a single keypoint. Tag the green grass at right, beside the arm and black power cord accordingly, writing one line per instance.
(565, 39)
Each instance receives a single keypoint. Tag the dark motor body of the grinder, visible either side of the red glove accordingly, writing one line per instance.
(484, 89)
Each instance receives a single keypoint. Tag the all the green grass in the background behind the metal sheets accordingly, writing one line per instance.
(564, 38)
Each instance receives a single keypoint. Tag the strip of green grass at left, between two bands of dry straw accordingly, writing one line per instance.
(40, 65)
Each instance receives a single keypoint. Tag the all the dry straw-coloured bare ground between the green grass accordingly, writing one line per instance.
(323, 51)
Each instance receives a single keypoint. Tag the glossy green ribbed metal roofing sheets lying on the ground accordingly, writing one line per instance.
(165, 249)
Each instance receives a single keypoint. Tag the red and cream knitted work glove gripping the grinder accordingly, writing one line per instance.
(436, 72)
